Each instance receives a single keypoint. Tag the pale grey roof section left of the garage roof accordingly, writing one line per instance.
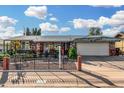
(47, 38)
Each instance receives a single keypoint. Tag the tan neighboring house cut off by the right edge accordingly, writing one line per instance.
(120, 44)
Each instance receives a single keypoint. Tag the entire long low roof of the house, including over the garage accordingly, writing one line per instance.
(76, 38)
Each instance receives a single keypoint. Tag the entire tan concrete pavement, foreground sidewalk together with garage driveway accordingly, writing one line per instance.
(99, 73)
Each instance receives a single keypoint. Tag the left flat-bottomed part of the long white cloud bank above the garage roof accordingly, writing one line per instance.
(85, 23)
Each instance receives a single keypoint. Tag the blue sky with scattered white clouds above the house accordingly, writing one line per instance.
(61, 20)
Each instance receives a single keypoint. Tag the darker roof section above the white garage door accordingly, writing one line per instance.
(96, 39)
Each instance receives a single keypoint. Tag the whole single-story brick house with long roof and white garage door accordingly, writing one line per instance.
(87, 46)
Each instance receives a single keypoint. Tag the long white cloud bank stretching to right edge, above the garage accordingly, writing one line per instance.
(115, 20)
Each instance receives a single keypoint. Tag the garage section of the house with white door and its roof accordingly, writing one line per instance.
(95, 45)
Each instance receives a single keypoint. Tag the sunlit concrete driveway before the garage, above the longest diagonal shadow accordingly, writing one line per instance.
(111, 70)
